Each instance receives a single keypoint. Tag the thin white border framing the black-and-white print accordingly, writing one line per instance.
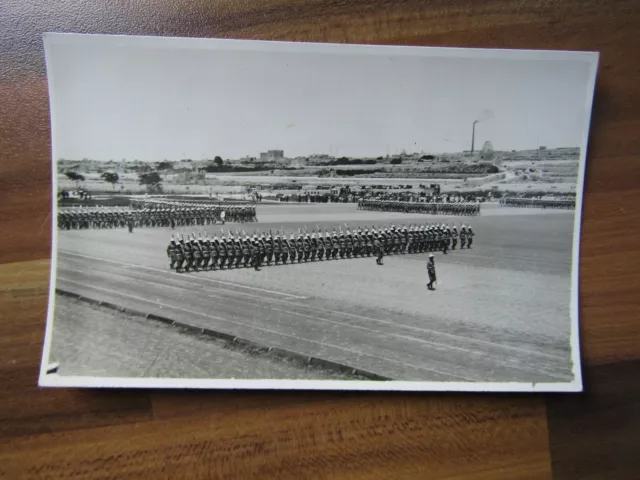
(124, 41)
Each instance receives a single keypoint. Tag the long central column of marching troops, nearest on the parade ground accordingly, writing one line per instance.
(254, 251)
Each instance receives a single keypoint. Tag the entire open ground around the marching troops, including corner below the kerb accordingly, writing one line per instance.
(500, 311)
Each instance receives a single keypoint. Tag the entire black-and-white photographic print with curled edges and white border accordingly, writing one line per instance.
(252, 214)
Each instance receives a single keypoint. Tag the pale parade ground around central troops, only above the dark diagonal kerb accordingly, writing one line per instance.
(501, 311)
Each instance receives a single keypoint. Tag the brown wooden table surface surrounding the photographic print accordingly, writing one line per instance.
(65, 433)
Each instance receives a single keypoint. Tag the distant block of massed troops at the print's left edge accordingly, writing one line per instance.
(174, 216)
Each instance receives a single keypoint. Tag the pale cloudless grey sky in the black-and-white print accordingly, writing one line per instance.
(152, 103)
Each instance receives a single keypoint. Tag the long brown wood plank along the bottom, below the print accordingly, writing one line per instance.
(331, 436)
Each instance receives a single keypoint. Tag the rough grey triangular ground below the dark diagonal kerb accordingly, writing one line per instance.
(96, 341)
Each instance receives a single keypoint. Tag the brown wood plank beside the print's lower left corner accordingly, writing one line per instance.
(26, 409)
